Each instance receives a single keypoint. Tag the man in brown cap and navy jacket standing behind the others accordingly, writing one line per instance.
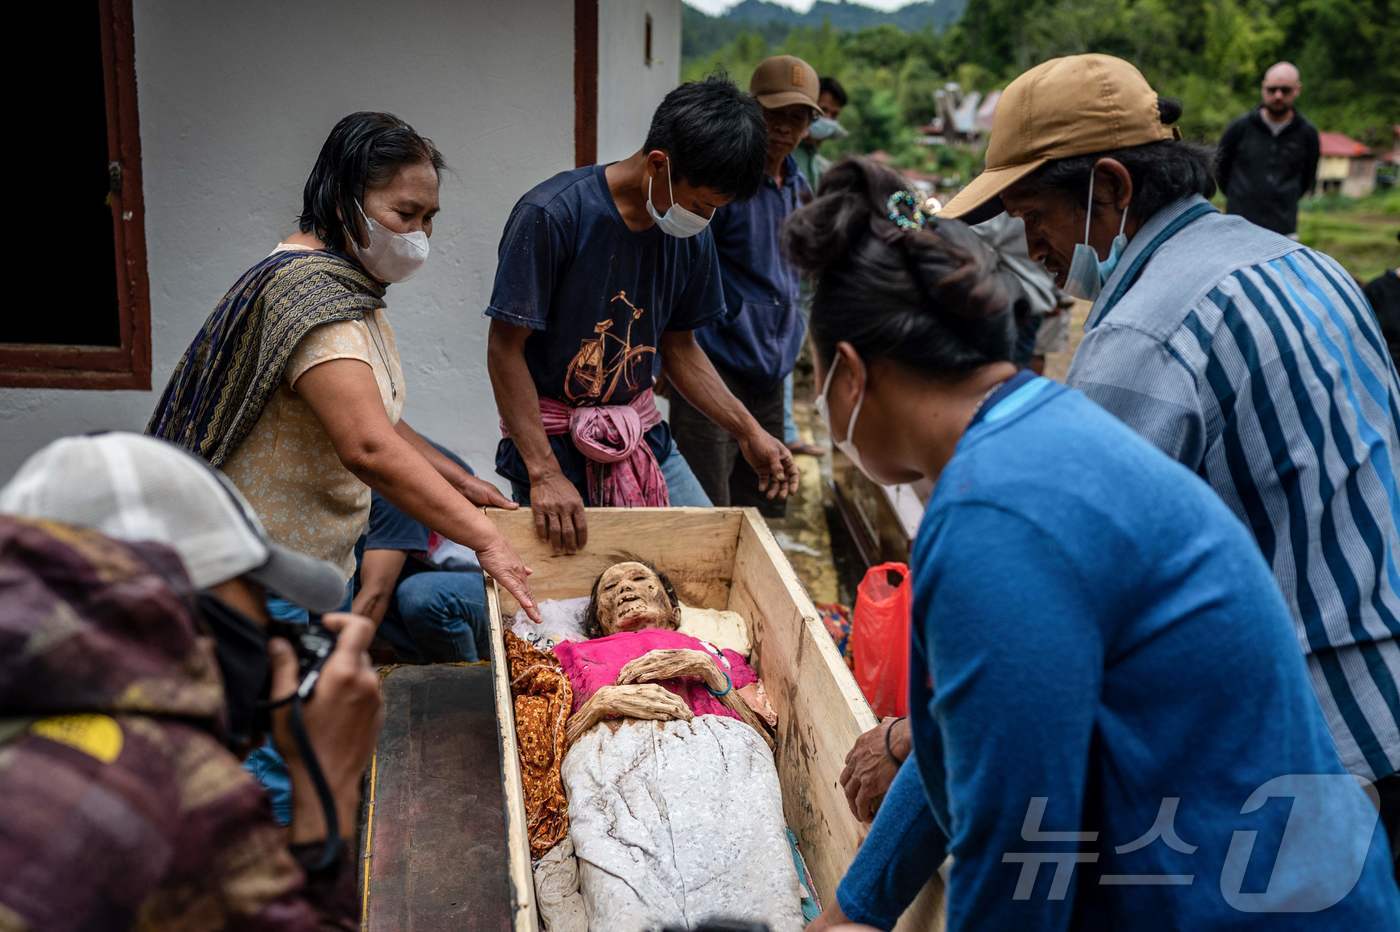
(757, 344)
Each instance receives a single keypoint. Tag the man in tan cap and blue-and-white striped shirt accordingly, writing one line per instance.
(1217, 341)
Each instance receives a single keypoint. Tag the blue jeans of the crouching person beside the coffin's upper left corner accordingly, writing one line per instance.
(439, 616)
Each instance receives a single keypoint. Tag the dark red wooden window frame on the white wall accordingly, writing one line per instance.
(104, 367)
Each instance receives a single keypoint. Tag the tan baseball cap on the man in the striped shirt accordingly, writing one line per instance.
(1076, 106)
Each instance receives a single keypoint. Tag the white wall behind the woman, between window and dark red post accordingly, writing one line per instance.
(236, 100)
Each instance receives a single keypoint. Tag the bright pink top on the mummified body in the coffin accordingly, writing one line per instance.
(591, 665)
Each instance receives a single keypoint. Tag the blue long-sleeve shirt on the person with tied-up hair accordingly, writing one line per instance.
(1111, 654)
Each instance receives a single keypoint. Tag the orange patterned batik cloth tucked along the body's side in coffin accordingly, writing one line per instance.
(544, 700)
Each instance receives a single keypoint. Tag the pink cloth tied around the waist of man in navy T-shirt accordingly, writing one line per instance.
(622, 469)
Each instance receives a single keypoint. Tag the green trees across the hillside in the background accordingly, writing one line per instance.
(1209, 54)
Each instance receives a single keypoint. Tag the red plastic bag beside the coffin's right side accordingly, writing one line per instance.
(880, 637)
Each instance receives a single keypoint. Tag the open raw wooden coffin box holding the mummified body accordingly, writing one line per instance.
(717, 559)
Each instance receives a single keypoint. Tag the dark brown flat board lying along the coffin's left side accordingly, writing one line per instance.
(436, 852)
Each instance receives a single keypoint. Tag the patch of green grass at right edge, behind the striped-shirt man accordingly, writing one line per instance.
(1357, 233)
